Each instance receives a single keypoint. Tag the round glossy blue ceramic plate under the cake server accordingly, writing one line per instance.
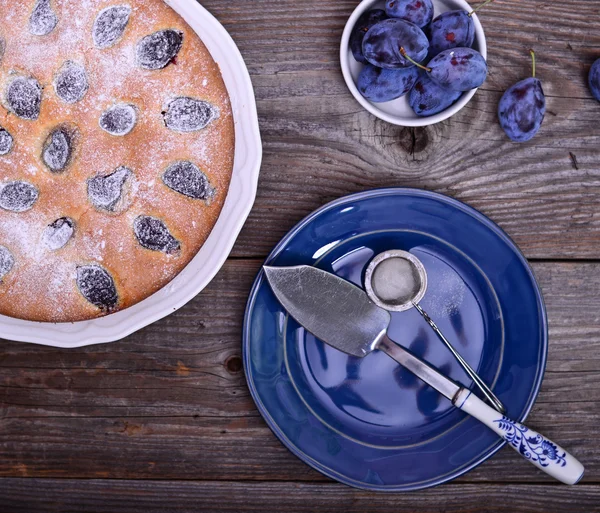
(368, 422)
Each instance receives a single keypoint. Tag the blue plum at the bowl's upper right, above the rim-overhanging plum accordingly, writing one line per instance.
(452, 29)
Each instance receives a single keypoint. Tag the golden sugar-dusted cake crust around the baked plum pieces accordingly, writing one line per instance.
(41, 284)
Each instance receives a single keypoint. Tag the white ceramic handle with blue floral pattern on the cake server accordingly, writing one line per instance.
(540, 451)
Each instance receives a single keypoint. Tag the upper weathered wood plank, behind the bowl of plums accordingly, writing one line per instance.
(320, 144)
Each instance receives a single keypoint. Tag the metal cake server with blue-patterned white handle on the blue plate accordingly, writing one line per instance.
(341, 315)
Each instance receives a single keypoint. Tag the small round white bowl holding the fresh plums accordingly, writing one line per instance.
(399, 111)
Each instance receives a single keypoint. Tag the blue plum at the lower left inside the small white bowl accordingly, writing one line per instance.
(383, 85)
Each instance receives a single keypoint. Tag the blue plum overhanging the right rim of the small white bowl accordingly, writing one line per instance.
(459, 69)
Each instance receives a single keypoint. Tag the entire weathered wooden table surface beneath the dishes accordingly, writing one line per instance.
(163, 421)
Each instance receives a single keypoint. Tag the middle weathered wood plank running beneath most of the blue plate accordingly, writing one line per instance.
(171, 401)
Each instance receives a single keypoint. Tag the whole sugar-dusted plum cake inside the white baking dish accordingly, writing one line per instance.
(116, 153)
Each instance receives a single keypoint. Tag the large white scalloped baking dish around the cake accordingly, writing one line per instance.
(211, 257)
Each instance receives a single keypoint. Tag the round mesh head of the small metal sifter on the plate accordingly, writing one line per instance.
(396, 280)
